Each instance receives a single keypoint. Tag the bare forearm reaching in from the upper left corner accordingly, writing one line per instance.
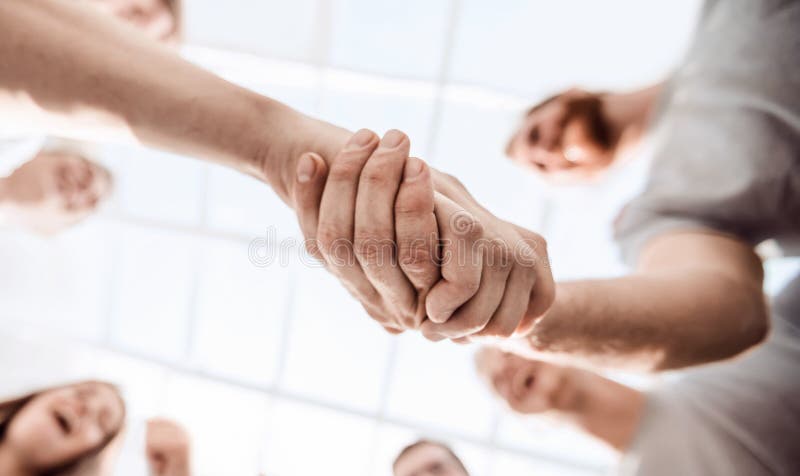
(66, 69)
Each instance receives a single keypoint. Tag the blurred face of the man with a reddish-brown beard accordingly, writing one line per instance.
(564, 139)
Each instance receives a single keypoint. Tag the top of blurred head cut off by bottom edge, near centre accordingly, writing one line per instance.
(428, 458)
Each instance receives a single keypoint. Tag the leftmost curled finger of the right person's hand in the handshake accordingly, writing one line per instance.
(462, 260)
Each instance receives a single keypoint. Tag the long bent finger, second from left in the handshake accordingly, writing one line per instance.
(337, 217)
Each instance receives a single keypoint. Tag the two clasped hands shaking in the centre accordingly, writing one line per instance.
(414, 247)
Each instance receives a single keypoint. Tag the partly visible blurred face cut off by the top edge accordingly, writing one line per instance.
(154, 17)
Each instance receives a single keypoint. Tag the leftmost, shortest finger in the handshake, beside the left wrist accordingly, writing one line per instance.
(309, 185)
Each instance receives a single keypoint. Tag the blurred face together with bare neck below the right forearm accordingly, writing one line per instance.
(598, 406)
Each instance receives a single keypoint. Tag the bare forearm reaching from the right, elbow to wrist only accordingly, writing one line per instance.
(650, 322)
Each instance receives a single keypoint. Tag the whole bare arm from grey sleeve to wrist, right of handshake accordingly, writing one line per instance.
(695, 297)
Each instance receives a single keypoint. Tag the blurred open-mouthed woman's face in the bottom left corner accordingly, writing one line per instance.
(62, 424)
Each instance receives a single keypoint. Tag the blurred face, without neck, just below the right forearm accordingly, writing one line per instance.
(527, 386)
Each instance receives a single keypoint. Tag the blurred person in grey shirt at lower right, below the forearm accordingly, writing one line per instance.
(736, 417)
